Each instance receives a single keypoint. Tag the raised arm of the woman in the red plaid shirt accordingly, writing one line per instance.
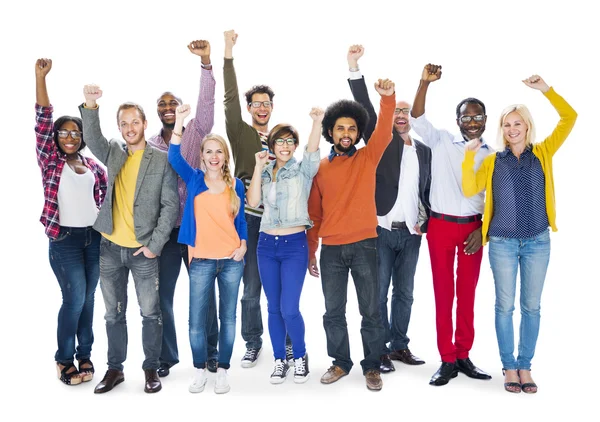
(44, 126)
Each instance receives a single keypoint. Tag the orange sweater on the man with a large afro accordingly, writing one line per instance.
(342, 198)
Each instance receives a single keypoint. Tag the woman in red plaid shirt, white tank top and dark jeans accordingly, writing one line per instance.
(74, 185)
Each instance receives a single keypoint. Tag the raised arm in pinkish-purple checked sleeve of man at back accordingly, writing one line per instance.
(203, 123)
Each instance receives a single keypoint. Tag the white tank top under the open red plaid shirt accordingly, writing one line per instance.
(76, 204)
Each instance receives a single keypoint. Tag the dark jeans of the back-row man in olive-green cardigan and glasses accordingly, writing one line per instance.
(252, 328)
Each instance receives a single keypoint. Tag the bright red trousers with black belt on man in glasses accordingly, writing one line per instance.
(446, 240)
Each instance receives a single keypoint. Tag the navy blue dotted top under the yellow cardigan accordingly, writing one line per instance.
(518, 186)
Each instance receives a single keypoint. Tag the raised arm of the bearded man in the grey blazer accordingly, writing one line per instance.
(92, 133)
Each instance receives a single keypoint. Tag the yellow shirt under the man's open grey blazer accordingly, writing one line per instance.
(123, 226)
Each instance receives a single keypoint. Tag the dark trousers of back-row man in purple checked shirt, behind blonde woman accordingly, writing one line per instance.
(169, 266)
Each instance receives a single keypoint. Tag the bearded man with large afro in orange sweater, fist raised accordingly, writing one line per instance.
(342, 207)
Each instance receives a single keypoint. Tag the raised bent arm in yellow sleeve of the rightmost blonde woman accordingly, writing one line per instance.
(567, 114)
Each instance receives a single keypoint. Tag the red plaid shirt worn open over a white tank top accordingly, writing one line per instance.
(52, 161)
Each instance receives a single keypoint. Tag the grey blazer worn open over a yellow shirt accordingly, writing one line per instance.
(156, 201)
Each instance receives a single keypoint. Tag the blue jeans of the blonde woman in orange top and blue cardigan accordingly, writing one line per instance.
(203, 272)
